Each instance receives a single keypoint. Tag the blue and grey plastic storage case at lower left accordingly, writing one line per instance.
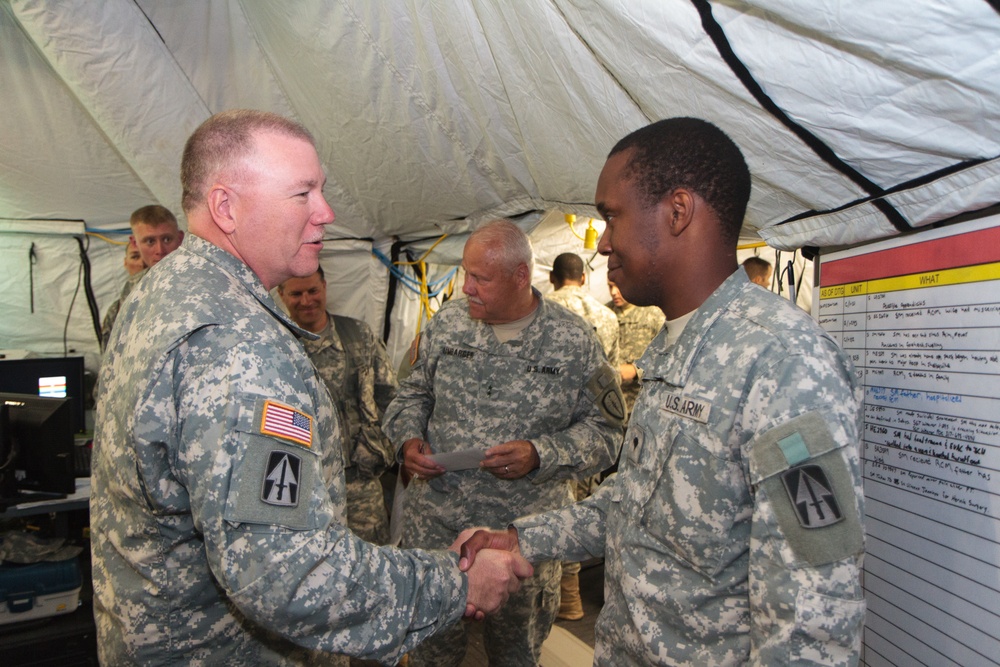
(38, 590)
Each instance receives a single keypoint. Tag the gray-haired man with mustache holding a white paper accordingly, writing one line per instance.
(506, 374)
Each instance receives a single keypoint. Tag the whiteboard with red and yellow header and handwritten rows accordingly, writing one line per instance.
(920, 318)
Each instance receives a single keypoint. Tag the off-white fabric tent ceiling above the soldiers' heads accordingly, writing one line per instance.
(432, 116)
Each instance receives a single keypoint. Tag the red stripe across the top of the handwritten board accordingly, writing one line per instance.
(978, 247)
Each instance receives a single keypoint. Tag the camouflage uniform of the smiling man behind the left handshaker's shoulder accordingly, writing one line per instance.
(357, 371)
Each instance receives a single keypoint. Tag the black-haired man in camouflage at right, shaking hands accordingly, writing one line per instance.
(732, 532)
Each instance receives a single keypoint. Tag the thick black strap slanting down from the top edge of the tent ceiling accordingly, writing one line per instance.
(827, 154)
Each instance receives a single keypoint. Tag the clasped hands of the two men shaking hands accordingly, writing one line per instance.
(495, 567)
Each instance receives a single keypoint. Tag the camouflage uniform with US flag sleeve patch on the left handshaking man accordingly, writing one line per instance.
(217, 513)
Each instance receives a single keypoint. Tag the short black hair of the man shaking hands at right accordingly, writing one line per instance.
(691, 153)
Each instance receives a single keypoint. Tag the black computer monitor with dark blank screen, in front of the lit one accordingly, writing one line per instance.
(36, 447)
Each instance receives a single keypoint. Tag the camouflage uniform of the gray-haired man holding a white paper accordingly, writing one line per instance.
(551, 385)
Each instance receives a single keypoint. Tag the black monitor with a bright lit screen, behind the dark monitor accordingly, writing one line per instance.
(50, 377)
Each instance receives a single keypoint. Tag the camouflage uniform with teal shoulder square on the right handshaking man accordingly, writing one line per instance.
(732, 533)
